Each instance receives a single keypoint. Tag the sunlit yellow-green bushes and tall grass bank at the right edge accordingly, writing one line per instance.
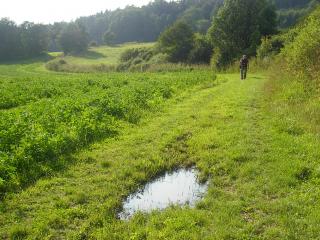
(294, 76)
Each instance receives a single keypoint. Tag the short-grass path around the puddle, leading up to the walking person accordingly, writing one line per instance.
(263, 175)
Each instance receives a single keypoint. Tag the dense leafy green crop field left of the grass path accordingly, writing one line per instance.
(46, 115)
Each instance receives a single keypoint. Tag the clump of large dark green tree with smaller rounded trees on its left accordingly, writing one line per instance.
(236, 29)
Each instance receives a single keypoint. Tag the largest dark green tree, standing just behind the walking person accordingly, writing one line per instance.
(238, 27)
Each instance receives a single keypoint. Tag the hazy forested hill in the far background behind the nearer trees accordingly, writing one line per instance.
(144, 24)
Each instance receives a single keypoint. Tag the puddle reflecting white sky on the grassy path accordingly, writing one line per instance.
(180, 187)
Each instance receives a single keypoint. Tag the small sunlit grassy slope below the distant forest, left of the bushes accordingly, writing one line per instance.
(105, 54)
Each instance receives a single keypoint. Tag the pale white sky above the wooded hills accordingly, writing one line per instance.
(50, 11)
